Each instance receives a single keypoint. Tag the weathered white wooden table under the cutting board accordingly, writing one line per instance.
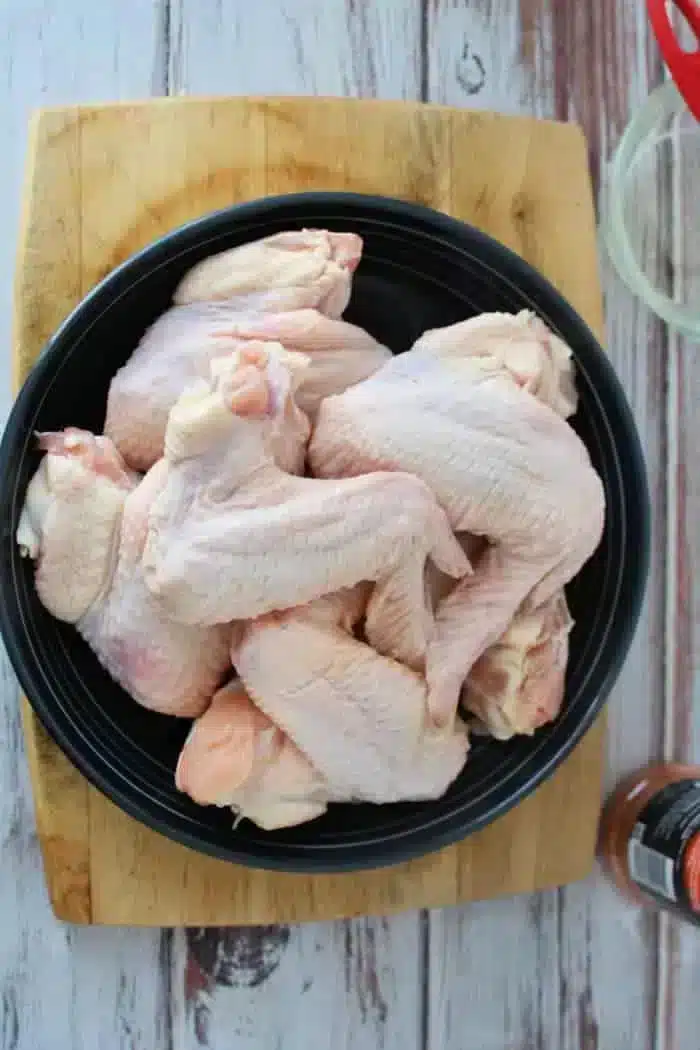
(572, 970)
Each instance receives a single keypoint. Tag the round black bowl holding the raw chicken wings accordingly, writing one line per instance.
(420, 270)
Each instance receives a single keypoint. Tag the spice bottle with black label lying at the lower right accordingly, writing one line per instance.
(650, 838)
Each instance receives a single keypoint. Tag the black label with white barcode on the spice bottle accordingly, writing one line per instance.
(664, 852)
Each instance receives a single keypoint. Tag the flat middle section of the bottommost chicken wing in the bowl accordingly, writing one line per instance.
(360, 718)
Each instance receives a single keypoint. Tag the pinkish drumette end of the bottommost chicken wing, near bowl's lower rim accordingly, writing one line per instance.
(237, 757)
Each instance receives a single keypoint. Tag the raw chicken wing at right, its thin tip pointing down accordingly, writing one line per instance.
(502, 465)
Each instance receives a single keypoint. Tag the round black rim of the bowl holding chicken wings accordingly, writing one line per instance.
(365, 856)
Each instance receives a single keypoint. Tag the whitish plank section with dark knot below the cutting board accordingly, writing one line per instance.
(358, 980)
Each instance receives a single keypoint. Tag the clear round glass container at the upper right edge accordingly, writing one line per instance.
(651, 209)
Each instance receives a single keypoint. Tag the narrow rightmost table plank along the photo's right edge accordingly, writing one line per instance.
(678, 1002)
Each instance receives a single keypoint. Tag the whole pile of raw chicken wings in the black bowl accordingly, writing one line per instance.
(329, 557)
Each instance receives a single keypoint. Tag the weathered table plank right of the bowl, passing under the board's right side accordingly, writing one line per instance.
(538, 58)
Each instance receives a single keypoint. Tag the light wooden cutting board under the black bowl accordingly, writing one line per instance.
(104, 181)
